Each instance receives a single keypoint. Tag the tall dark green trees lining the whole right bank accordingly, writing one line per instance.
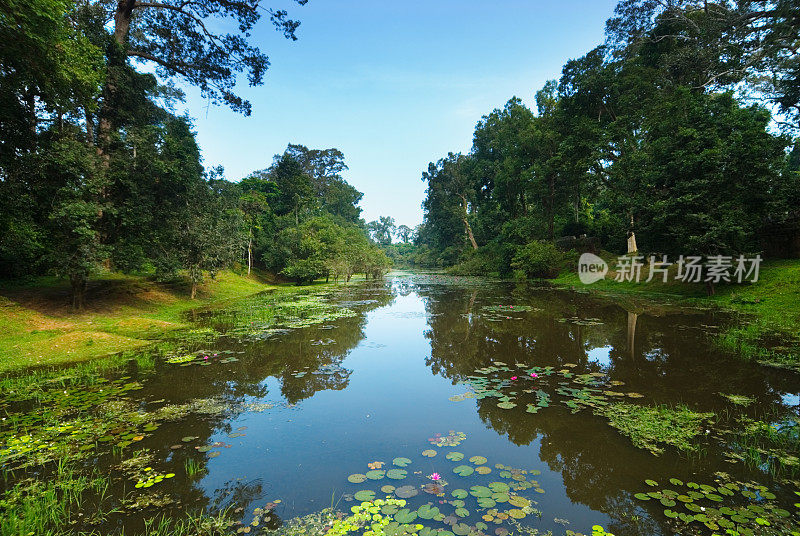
(679, 128)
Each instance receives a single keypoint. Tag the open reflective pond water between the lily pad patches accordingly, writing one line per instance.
(309, 406)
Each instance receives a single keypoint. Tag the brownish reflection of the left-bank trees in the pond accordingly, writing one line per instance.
(318, 351)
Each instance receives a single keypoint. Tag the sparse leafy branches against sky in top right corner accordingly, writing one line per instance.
(713, 45)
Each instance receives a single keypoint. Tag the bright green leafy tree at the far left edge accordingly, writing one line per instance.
(49, 71)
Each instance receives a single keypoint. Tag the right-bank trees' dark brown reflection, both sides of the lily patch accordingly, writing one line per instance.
(666, 355)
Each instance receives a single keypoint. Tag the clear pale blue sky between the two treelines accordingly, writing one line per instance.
(394, 85)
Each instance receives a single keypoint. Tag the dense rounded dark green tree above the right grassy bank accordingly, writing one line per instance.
(710, 174)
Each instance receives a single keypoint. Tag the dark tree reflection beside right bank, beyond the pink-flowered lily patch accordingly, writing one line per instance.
(672, 359)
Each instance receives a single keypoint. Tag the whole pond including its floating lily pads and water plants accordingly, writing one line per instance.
(490, 408)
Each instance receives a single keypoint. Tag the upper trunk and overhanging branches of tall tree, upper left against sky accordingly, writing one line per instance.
(180, 39)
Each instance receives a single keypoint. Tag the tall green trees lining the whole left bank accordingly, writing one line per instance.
(97, 172)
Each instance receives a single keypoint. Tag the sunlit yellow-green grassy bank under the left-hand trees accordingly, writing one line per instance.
(37, 326)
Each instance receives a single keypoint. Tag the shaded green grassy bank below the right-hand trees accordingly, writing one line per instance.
(768, 325)
